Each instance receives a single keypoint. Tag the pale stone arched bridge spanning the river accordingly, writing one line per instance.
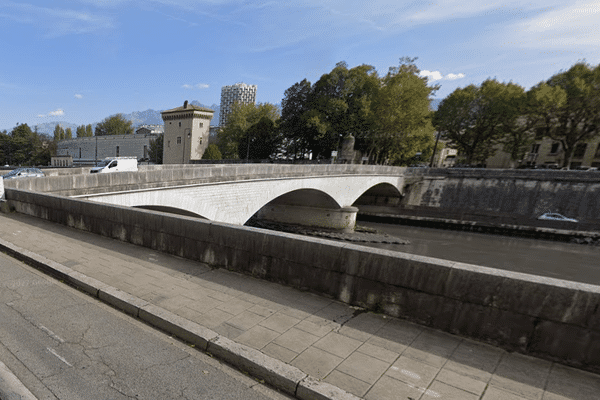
(313, 195)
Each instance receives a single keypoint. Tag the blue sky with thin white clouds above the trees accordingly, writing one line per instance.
(80, 61)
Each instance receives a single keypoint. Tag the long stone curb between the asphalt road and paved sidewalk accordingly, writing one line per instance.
(276, 373)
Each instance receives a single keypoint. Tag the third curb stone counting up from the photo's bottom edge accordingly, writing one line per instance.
(175, 325)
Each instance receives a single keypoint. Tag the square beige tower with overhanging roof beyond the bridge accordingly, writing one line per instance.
(186, 133)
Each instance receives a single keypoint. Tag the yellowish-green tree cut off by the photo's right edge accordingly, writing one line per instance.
(568, 105)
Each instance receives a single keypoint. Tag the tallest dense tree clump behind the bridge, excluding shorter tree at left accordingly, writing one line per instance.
(388, 116)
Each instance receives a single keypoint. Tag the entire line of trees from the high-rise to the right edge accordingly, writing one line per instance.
(391, 119)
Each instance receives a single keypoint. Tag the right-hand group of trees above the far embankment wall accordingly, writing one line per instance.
(478, 120)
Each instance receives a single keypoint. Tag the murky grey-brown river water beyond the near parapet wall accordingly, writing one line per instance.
(569, 261)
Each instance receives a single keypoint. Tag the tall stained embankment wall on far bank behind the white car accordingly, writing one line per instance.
(504, 196)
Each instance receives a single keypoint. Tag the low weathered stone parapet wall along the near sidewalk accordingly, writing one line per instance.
(553, 319)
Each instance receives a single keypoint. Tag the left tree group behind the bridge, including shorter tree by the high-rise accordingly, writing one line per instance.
(389, 117)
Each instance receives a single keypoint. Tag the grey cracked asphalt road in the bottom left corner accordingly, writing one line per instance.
(62, 344)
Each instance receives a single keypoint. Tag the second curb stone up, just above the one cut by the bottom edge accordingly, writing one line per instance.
(272, 371)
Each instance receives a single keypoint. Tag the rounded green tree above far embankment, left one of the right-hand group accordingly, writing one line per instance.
(475, 118)
